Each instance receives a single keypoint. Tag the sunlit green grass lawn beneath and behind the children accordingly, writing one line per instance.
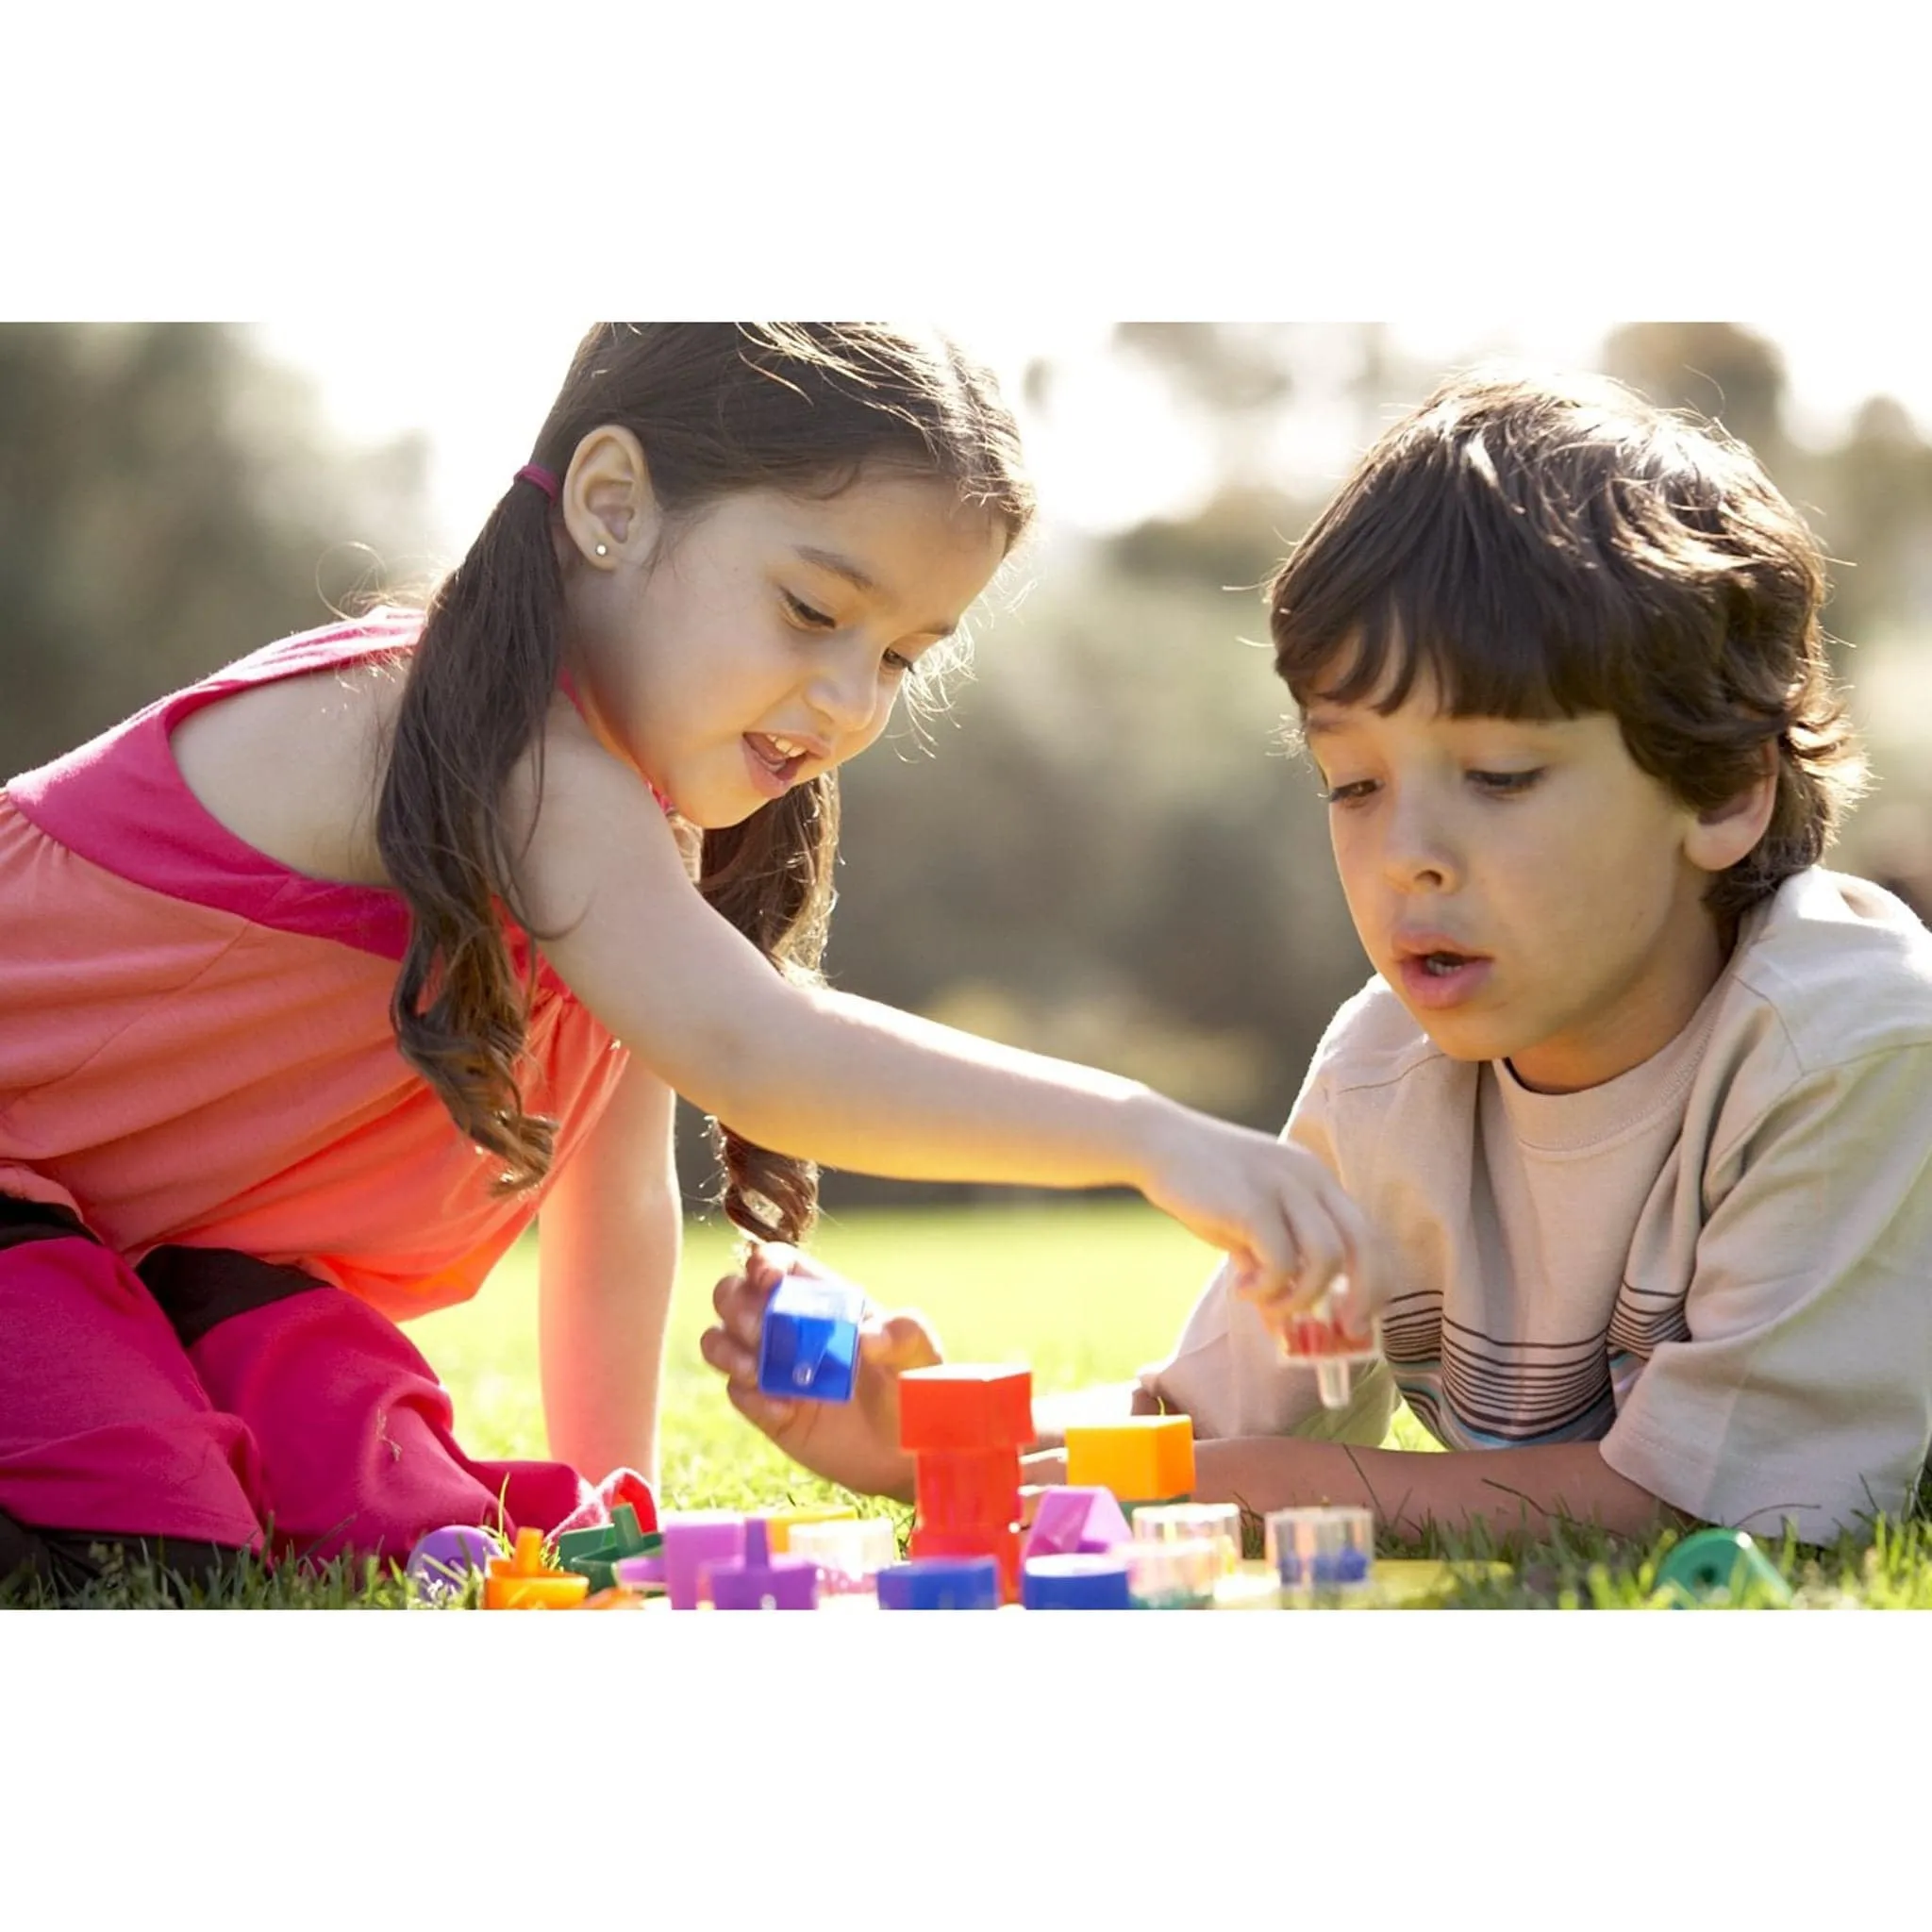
(1081, 1293)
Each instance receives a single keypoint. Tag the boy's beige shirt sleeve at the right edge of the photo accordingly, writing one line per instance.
(1805, 1386)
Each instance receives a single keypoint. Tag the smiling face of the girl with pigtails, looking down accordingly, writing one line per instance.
(762, 642)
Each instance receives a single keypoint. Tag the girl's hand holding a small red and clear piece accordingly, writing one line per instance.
(1282, 1218)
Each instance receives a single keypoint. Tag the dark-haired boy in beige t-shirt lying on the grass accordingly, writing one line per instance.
(1639, 1100)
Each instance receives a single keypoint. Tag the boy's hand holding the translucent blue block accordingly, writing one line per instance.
(853, 1444)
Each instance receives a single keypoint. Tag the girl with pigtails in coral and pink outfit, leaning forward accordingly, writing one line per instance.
(326, 973)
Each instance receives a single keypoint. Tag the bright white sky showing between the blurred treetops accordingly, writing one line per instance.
(1114, 451)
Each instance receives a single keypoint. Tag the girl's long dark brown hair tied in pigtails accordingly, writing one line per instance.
(718, 407)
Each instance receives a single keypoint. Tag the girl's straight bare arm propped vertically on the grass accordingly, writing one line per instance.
(610, 1237)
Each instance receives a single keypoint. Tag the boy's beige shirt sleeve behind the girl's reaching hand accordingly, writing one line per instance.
(1228, 1373)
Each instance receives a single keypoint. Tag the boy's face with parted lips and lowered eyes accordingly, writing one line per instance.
(1523, 886)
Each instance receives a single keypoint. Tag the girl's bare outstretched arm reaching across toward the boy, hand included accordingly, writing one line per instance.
(851, 1083)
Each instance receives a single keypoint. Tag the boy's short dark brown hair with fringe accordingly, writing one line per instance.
(1550, 548)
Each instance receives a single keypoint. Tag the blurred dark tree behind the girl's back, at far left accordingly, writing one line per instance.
(169, 503)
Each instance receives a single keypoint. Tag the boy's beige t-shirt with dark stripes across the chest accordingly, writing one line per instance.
(1717, 1264)
